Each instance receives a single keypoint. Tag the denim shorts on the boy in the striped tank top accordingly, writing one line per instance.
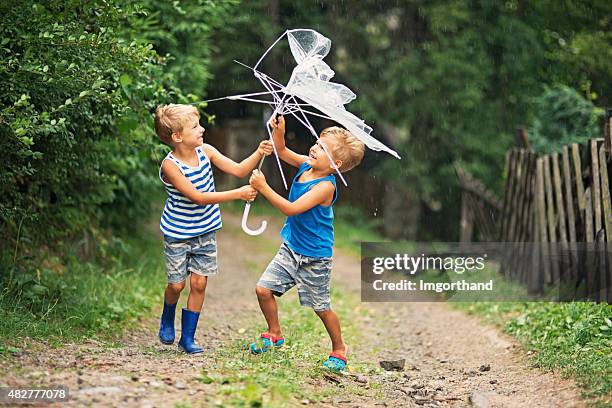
(192, 255)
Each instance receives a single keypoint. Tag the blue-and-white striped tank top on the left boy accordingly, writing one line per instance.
(181, 218)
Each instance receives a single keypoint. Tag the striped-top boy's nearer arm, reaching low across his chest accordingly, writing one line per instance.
(173, 175)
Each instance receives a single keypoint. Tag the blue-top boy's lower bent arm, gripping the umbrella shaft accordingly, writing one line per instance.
(321, 193)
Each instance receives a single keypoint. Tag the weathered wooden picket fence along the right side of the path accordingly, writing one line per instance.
(556, 216)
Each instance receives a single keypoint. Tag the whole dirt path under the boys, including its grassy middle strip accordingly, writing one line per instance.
(451, 359)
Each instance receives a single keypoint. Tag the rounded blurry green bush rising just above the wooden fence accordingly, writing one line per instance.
(563, 116)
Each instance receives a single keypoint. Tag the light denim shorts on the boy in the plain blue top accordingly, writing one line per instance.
(311, 275)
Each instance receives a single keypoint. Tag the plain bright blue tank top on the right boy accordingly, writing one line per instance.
(310, 233)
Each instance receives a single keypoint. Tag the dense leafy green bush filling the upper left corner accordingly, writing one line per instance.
(72, 95)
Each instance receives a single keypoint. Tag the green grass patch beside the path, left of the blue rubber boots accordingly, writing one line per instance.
(59, 300)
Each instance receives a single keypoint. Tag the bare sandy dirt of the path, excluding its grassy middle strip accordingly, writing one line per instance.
(452, 360)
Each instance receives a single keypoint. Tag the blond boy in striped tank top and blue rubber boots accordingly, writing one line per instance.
(191, 214)
